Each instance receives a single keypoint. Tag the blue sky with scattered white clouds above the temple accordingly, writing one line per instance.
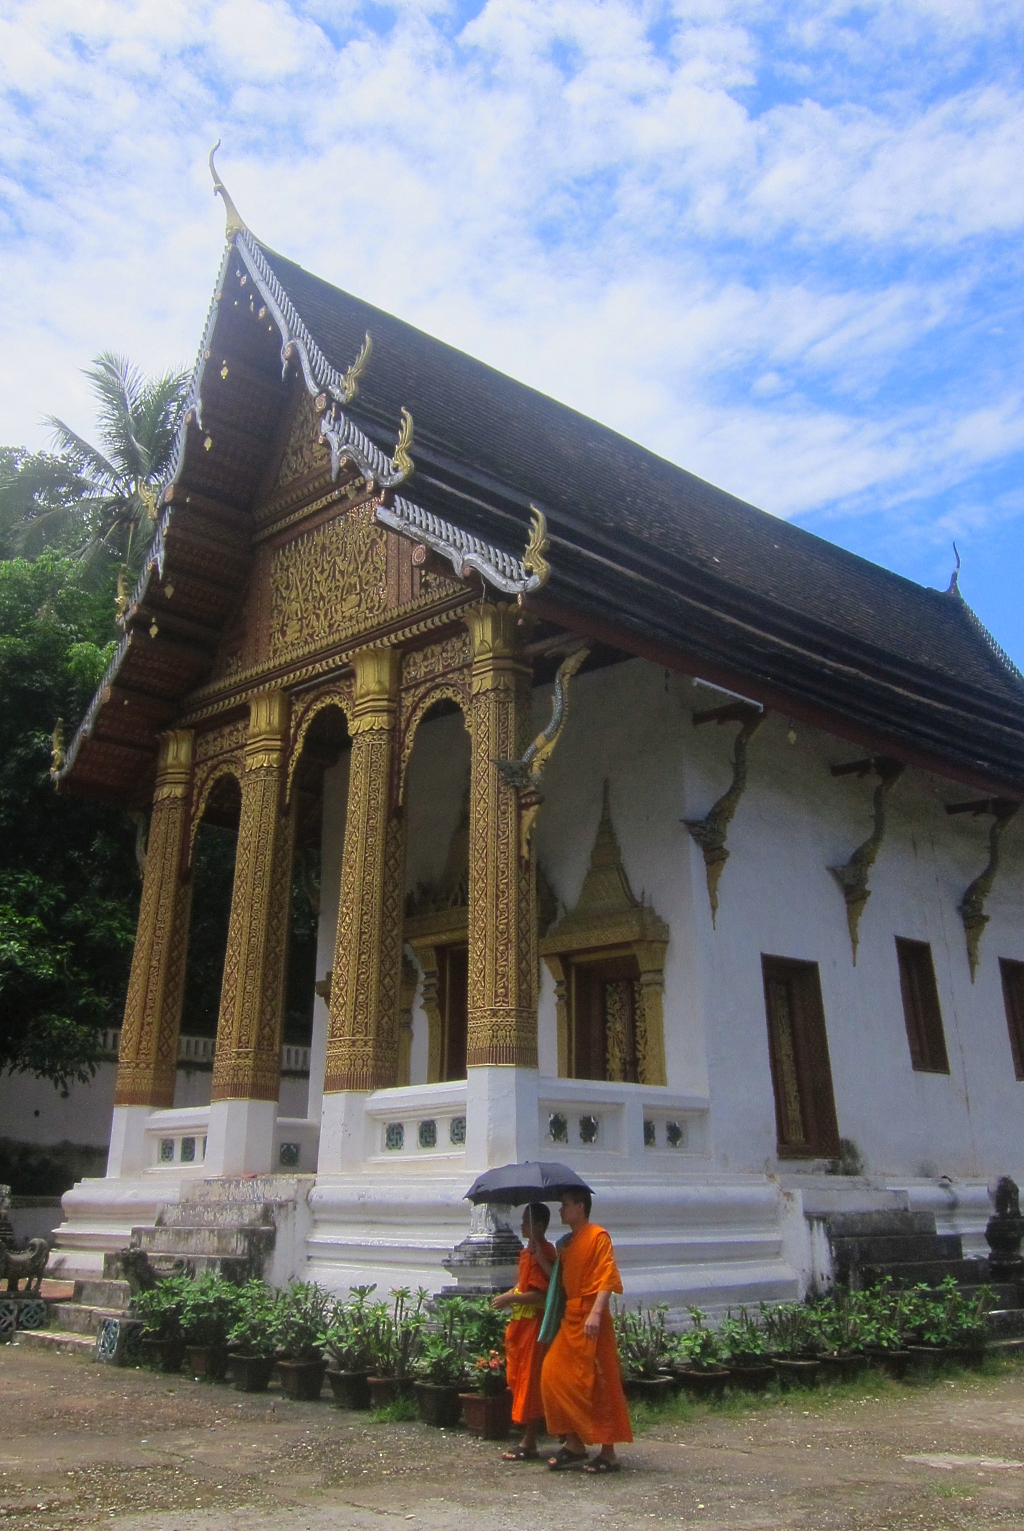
(777, 243)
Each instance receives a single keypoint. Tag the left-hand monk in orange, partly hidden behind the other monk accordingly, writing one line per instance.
(523, 1353)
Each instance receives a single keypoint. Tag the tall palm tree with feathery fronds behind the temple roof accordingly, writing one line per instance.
(109, 492)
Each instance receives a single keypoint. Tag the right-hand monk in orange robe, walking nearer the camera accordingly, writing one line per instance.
(581, 1380)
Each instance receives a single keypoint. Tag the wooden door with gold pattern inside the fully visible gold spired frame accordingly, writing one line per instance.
(604, 1020)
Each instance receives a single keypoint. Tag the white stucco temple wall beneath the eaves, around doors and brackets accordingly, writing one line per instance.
(633, 725)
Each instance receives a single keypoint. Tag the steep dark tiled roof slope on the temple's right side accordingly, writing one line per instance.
(659, 553)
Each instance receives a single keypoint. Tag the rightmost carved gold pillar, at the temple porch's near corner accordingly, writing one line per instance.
(503, 925)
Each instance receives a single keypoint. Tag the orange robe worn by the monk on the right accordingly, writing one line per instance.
(581, 1380)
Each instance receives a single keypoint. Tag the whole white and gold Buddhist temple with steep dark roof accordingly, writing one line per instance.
(636, 829)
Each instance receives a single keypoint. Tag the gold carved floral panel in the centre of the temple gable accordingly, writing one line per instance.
(327, 584)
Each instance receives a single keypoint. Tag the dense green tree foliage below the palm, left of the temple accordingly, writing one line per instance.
(70, 884)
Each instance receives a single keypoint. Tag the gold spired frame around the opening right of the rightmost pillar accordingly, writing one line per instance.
(610, 921)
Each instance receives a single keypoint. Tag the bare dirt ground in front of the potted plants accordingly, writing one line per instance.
(85, 1446)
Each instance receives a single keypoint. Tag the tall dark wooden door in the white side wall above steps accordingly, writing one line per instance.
(801, 1071)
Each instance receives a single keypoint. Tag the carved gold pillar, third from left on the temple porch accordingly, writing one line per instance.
(365, 990)
